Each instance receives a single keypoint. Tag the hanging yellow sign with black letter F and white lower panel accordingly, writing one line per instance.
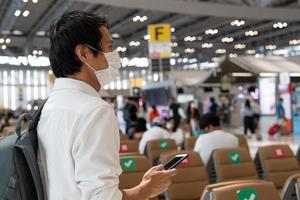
(160, 41)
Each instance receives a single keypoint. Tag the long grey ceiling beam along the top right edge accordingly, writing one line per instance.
(205, 8)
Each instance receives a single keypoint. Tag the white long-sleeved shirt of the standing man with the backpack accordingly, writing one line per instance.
(78, 144)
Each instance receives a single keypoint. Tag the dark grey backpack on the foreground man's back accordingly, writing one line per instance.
(19, 173)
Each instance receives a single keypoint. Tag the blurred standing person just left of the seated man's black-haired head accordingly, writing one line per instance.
(193, 118)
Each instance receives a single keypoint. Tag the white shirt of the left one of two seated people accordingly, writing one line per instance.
(154, 133)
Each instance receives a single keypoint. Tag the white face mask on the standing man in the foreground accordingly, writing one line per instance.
(105, 76)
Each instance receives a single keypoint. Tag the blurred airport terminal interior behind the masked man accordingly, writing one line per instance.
(190, 69)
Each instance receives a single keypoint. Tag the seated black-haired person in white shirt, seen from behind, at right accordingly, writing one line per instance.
(214, 137)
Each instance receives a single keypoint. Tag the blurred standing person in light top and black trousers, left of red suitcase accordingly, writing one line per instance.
(248, 118)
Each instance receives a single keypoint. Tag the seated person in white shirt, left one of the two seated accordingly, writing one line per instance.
(156, 132)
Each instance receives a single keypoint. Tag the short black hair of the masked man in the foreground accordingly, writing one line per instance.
(72, 29)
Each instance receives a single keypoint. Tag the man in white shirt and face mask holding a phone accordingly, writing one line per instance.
(78, 133)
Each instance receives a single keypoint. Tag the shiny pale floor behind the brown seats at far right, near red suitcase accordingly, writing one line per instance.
(265, 123)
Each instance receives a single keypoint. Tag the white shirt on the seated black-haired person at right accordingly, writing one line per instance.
(218, 139)
